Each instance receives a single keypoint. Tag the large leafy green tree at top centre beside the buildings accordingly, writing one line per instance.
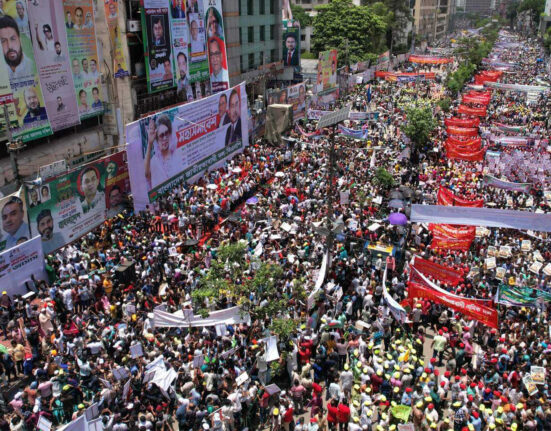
(355, 31)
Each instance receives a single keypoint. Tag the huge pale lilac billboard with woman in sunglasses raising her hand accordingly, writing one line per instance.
(180, 143)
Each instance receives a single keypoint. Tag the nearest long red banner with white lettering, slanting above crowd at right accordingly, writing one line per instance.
(470, 308)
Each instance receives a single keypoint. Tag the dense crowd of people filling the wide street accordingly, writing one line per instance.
(88, 350)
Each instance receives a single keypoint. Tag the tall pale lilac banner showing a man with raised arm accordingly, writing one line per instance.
(52, 61)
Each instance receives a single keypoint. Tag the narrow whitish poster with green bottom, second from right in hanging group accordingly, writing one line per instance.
(198, 61)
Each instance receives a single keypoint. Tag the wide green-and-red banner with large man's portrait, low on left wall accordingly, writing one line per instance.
(73, 204)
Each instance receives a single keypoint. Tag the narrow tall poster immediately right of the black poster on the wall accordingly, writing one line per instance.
(180, 47)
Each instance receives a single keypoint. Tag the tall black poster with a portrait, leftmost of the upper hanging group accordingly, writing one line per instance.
(157, 45)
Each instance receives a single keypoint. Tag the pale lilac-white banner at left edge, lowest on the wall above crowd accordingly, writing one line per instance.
(19, 263)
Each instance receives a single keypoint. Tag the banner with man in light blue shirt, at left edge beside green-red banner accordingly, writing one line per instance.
(15, 229)
